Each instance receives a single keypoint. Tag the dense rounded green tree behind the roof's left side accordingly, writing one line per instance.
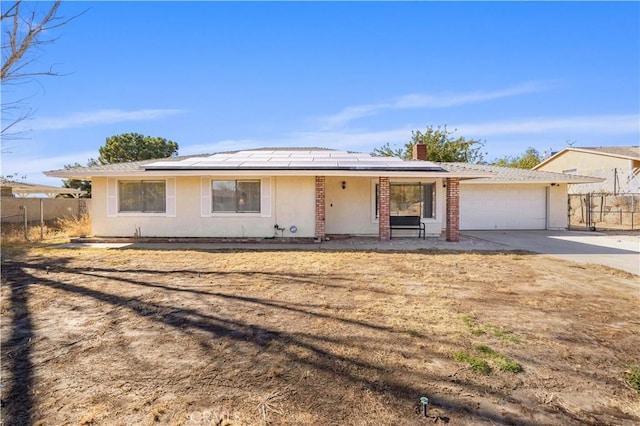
(135, 147)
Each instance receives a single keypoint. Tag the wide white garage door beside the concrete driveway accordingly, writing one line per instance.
(502, 207)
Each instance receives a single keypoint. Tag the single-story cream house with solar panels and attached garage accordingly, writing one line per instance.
(315, 193)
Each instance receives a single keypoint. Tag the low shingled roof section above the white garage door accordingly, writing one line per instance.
(514, 175)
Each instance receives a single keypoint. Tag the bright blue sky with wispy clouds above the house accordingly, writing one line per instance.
(216, 76)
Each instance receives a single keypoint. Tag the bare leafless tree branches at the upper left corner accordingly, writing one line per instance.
(24, 30)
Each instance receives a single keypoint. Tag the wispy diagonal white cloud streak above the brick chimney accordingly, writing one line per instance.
(419, 101)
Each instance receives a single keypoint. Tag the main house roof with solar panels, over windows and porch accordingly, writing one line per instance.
(287, 161)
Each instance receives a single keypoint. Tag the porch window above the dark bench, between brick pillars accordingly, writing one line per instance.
(411, 199)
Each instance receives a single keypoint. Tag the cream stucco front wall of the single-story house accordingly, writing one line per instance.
(290, 202)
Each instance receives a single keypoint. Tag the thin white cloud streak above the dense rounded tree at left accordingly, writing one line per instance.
(95, 118)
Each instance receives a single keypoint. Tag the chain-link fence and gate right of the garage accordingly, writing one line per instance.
(604, 211)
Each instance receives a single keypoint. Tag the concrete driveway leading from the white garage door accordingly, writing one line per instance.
(616, 250)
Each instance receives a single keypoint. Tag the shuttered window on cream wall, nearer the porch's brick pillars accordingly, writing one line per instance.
(235, 196)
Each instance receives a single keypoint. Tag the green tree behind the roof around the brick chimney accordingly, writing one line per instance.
(441, 144)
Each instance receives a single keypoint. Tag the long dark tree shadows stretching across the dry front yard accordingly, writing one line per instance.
(19, 405)
